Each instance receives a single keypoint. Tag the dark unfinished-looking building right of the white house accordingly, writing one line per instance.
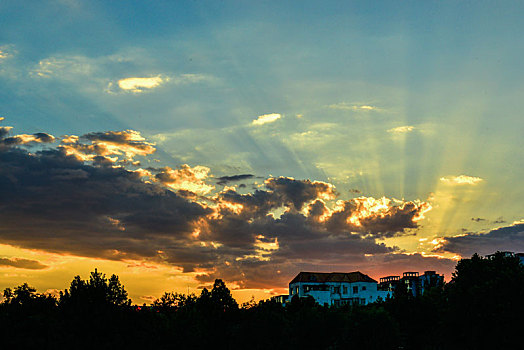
(415, 284)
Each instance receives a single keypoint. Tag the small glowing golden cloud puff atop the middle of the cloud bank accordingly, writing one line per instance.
(186, 178)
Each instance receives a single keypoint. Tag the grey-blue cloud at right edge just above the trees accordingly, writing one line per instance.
(509, 238)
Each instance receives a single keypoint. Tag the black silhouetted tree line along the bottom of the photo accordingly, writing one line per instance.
(481, 307)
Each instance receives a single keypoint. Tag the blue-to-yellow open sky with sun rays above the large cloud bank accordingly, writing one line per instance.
(409, 100)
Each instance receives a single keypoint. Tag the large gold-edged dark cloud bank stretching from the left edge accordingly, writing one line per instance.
(86, 196)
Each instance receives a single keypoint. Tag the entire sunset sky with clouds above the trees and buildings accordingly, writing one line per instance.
(172, 143)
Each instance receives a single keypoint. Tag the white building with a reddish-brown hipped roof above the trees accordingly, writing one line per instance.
(336, 288)
